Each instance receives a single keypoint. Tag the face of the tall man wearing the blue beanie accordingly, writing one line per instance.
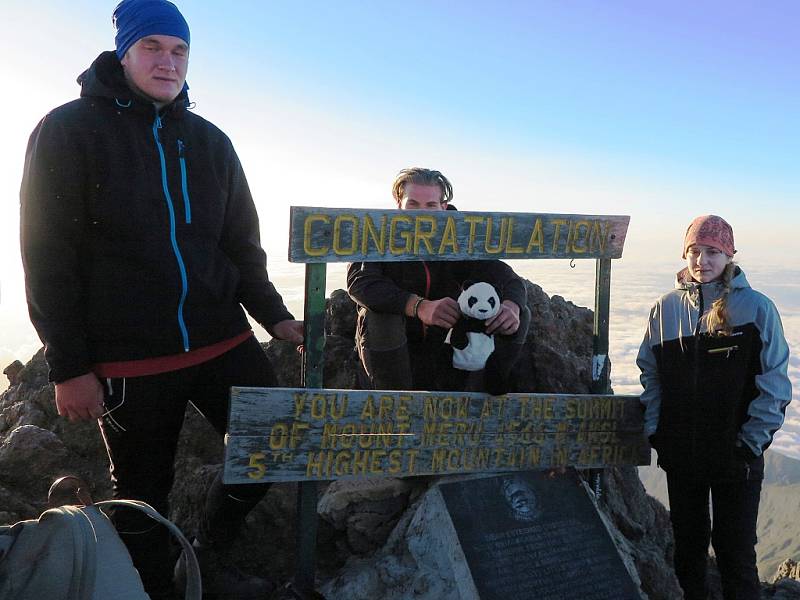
(155, 67)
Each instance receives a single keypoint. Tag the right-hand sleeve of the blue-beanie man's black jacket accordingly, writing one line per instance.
(241, 243)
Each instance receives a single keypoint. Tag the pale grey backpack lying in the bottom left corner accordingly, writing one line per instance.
(74, 553)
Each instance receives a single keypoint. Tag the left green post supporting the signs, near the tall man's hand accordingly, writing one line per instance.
(312, 376)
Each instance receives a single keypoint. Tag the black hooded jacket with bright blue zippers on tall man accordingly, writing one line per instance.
(139, 234)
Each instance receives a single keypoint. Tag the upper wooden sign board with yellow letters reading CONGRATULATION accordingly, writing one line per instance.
(356, 235)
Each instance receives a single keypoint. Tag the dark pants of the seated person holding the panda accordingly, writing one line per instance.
(391, 362)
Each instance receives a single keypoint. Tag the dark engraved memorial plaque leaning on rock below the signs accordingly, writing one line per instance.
(536, 534)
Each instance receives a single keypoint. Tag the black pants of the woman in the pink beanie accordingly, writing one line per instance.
(733, 534)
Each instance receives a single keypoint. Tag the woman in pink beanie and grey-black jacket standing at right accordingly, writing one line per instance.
(714, 371)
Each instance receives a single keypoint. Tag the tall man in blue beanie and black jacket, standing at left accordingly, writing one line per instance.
(140, 244)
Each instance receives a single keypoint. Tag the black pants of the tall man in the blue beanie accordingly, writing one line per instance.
(141, 435)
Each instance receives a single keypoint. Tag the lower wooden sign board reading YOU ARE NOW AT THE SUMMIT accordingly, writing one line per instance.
(287, 434)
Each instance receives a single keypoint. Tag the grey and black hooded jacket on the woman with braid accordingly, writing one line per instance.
(711, 398)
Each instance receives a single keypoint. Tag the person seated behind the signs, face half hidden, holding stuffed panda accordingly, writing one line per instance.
(405, 309)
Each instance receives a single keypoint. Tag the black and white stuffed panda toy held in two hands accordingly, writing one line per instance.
(471, 345)
